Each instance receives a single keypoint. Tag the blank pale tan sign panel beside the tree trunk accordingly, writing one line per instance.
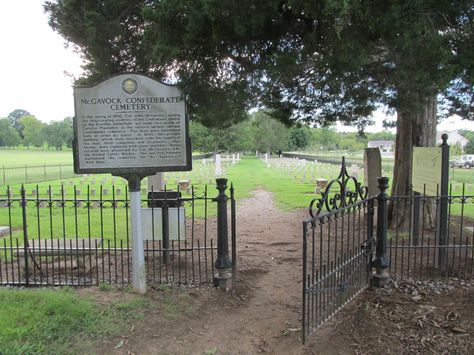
(426, 170)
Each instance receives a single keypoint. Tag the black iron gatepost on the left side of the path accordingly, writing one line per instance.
(223, 277)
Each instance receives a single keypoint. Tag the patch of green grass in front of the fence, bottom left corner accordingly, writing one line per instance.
(59, 321)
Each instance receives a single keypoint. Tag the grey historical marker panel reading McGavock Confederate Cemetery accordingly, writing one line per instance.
(130, 124)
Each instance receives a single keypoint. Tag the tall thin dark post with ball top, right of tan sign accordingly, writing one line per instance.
(442, 219)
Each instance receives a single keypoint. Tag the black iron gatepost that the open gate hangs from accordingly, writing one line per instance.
(381, 262)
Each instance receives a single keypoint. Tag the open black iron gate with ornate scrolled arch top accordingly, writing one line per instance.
(338, 242)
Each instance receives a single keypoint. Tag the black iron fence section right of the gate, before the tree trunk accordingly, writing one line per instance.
(416, 247)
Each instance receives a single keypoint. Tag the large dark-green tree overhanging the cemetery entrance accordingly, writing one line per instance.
(301, 60)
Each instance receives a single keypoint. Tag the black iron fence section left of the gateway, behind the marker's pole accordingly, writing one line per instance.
(66, 240)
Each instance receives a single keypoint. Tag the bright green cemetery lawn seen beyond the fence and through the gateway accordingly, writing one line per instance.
(112, 224)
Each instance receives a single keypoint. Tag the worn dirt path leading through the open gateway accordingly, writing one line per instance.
(260, 315)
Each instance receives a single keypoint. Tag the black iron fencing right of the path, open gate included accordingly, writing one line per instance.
(418, 237)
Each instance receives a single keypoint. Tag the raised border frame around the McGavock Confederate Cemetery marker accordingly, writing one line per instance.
(128, 171)
